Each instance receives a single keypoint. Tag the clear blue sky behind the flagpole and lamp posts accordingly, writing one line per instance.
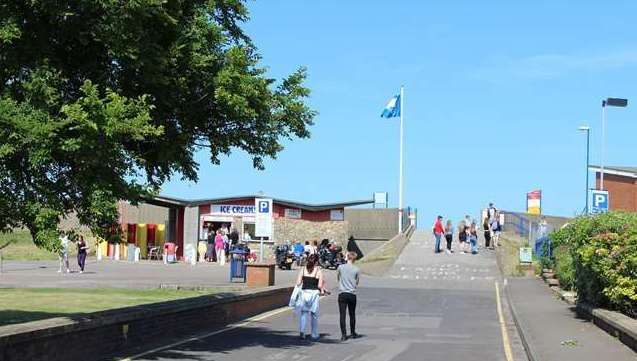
(494, 93)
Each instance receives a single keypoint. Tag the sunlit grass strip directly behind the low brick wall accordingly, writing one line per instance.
(19, 305)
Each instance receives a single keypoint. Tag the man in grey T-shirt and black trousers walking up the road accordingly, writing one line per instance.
(348, 277)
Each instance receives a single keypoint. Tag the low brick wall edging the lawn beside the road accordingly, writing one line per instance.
(104, 333)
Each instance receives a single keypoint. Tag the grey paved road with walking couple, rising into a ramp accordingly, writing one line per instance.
(429, 307)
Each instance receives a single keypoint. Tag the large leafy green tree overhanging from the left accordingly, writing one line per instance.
(102, 100)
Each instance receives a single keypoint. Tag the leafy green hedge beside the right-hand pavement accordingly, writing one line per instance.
(598, 256)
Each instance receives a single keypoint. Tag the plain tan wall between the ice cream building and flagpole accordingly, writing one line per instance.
(372, 224)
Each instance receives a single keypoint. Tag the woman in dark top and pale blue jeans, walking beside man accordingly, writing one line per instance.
(312, 285)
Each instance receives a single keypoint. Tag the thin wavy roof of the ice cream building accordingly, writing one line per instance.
(165, 201)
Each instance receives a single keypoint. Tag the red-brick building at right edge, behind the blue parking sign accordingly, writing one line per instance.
(621, 184)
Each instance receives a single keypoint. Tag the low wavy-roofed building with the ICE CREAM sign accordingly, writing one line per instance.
(188, 221)
